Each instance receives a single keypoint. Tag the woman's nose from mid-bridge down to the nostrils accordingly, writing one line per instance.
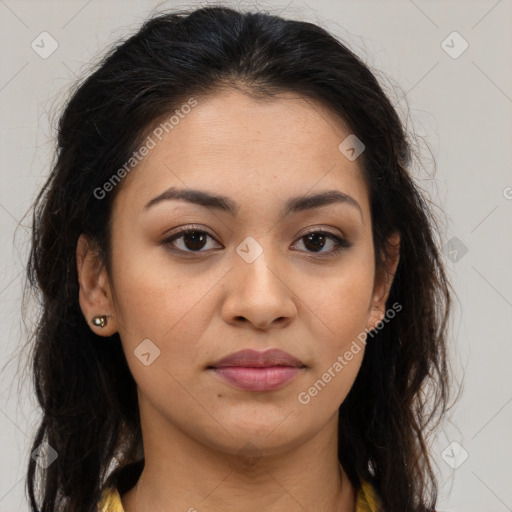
(258, 293)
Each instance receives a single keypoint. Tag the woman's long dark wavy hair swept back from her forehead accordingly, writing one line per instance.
(83, 384)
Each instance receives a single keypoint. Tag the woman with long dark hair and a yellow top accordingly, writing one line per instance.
(243, 300)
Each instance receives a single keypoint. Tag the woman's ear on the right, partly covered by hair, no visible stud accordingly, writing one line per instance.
(383, 281)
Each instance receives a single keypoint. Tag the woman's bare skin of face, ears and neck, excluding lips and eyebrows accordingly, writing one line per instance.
(199, 307)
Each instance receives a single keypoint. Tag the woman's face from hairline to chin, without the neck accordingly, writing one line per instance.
(251, 276)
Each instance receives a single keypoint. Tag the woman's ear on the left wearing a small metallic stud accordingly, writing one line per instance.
(95, 296)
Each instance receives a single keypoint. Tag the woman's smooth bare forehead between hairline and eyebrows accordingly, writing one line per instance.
(247, 148)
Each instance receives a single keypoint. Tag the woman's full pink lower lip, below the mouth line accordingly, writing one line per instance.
(258, 379)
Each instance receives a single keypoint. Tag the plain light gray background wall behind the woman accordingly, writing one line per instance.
(460, 110)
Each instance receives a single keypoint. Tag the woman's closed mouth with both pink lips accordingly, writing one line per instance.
(252, 370)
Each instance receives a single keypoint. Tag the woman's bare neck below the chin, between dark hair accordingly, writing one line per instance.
(182, 474)
